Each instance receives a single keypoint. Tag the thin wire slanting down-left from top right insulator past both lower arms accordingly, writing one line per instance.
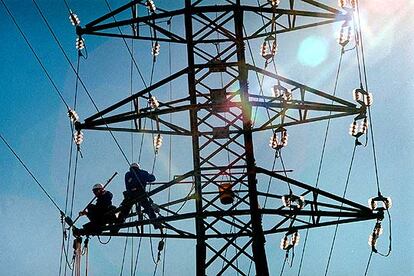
(322, 153)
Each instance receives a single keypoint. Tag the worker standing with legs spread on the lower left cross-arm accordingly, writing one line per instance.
(136, 180)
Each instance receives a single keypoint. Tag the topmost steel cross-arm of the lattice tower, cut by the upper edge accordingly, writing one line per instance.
(324, 13)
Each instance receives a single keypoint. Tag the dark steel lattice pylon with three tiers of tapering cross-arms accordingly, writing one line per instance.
(219, 109)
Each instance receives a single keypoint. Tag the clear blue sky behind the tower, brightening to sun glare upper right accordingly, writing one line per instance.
(34, 121)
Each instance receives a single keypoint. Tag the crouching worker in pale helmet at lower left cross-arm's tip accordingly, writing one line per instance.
(99, 214)
